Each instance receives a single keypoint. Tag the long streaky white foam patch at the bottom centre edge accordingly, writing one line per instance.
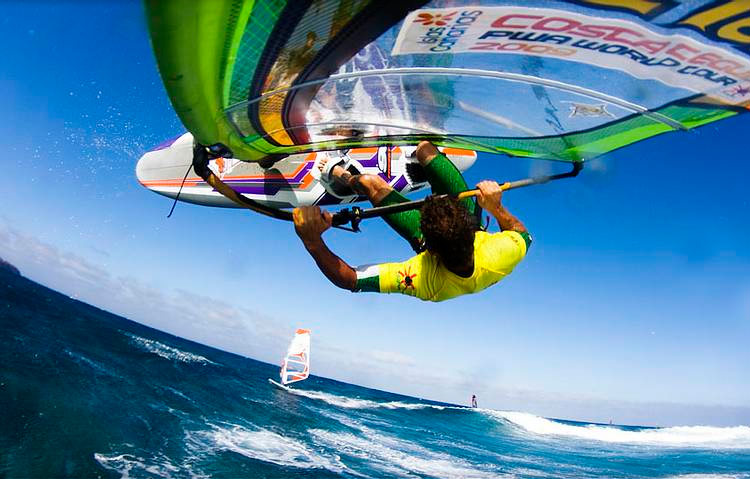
(397, 457)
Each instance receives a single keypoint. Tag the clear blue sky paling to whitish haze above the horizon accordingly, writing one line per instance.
(633, 303)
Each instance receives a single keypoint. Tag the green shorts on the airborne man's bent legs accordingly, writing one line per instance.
(444, 178)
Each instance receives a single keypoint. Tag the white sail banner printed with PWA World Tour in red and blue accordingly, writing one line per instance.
(638, 49)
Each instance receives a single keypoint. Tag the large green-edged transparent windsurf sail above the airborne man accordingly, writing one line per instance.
(549, 79)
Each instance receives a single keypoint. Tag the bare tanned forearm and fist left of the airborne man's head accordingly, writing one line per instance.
(310, 223)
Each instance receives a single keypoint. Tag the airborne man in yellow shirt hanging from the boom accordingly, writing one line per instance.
(453, 256)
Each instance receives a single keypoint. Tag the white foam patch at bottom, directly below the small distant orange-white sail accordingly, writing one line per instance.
(268, 446)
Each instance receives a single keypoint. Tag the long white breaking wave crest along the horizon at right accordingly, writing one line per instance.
(737, 437)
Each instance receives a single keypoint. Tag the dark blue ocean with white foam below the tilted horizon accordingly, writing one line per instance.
(85, 393)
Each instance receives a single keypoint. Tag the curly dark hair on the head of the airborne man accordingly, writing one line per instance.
(448, 229)
